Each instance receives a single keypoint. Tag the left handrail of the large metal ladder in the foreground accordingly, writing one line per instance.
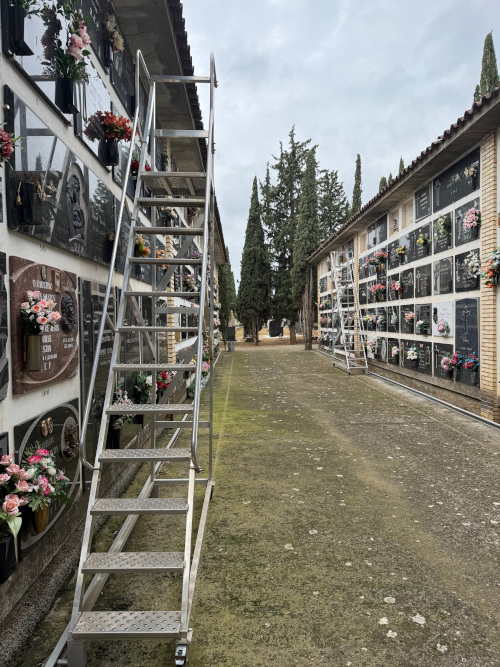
(102, 324)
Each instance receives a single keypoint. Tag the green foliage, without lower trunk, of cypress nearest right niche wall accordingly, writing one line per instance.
(307, 235)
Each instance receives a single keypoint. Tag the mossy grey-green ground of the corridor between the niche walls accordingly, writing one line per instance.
(352, 524)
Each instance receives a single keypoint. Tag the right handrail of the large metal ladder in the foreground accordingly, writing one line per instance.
(203, 287)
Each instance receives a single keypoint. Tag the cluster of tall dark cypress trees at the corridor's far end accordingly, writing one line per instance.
(294, 209)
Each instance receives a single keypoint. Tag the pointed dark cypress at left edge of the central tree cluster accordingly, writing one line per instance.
(255, 284)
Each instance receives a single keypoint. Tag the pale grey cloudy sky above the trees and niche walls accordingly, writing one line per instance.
(382, 78)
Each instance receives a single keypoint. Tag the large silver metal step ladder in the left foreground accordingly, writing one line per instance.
(165, 189)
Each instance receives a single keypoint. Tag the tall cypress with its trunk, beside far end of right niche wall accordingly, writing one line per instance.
(306, 241)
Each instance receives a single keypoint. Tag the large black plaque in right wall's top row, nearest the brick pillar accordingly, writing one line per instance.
(453, 184)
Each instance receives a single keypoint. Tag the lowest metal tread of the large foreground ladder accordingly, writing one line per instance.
(127, 624)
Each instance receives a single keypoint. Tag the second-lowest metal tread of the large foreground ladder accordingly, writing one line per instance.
(138, 561)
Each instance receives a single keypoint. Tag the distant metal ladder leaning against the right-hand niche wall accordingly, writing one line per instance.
(349, 341)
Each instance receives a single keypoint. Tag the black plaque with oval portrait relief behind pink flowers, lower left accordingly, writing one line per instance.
(58, 431)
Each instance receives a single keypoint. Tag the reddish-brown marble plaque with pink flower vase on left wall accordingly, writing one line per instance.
(59, 344)
